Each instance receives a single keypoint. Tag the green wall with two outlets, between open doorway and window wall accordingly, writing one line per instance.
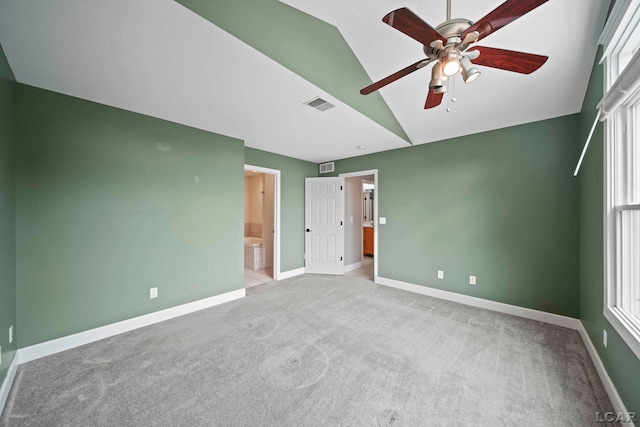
(501, 205)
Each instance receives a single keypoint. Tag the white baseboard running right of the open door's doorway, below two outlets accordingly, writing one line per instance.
(527, 313)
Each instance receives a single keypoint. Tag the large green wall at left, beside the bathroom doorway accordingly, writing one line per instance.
(103, 215)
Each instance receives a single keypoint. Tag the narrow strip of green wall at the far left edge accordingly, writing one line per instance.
(8, 90)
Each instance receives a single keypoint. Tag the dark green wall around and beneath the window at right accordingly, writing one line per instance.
(621, 363)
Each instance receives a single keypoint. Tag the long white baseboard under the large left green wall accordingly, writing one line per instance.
(47, 348)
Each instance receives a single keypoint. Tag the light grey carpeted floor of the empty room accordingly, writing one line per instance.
(319, 350)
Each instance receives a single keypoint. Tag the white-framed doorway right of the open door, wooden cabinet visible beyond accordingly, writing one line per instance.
(361, 229)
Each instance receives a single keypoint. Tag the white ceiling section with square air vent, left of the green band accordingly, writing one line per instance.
(157, 58)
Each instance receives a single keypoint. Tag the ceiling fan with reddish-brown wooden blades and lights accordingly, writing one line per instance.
(449, 46)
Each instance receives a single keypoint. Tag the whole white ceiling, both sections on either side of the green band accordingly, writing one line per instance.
(157, 58)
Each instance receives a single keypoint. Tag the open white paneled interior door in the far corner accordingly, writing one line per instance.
(324, 224)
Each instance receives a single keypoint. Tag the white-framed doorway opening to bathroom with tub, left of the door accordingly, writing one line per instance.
(261, 225)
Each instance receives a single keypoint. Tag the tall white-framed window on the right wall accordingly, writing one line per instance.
(620, 111)
